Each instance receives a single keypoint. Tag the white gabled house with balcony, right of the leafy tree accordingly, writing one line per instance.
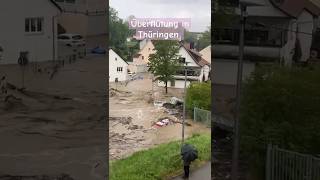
(198, 69)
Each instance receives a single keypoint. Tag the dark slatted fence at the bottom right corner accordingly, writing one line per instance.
(282, 164)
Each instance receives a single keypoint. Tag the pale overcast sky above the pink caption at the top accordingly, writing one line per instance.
(198, 10)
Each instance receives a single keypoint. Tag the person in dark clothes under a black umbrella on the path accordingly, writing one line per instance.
(189, 153)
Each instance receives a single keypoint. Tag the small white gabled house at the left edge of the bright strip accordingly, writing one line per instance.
(118, 68)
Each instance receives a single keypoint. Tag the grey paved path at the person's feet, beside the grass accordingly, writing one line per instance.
(203, 173)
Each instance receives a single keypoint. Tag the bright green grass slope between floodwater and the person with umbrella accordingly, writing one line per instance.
(159, 162)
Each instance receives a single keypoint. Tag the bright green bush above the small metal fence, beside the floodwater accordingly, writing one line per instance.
(199, 95)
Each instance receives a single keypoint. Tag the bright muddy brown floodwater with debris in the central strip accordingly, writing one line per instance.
(132, 116)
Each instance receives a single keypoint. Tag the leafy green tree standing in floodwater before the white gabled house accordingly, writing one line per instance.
(165, 62)
